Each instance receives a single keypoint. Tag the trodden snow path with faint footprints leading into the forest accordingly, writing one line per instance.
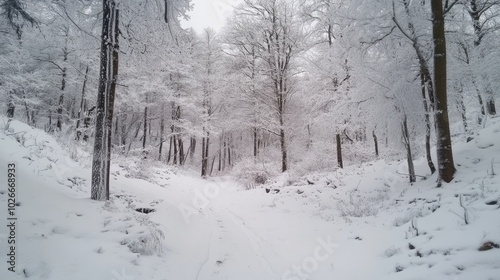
(235, 250)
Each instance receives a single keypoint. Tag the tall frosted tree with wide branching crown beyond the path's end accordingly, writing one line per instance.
(272, 31)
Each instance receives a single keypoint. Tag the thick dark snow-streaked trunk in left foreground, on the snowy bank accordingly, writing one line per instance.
(105, 101)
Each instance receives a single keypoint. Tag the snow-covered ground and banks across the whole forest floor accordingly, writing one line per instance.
(363, 222)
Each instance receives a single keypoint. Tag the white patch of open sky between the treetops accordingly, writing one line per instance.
(209, 13)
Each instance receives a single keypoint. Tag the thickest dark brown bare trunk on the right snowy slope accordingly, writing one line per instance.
(446, 165)
